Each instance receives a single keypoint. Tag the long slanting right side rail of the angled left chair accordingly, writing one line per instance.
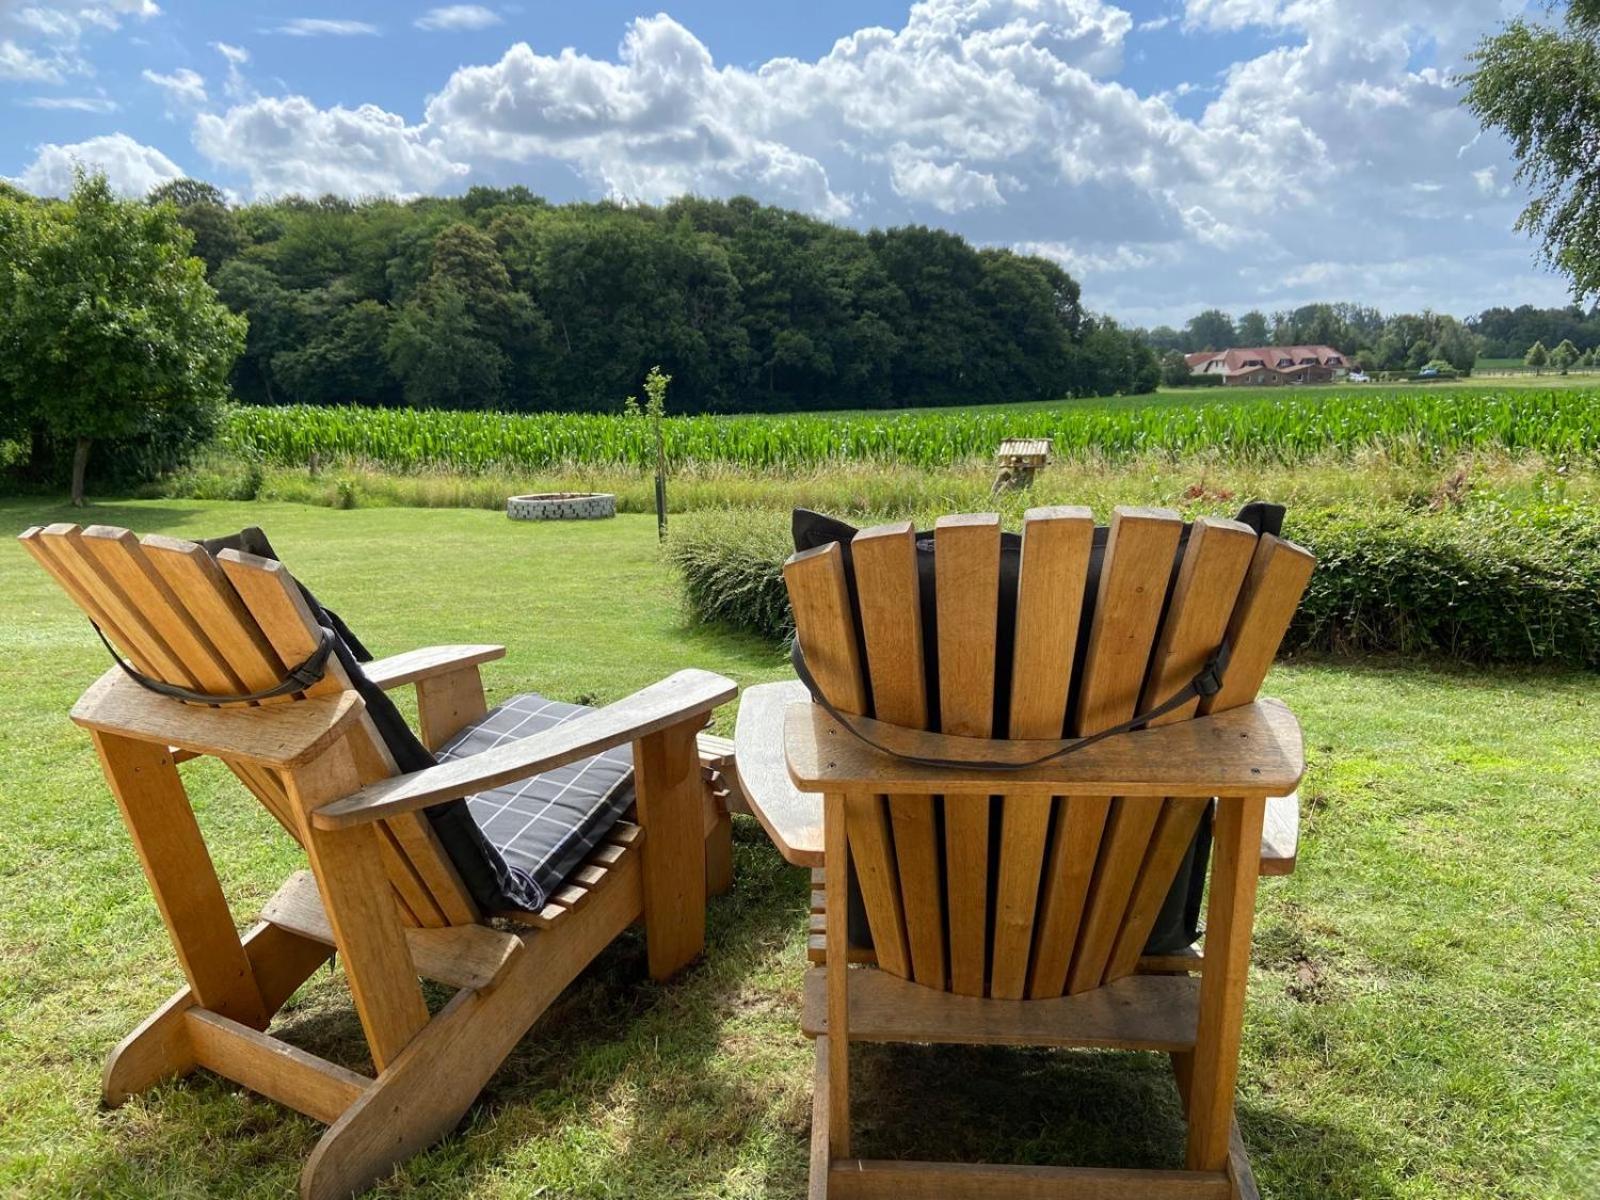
(428, 1089)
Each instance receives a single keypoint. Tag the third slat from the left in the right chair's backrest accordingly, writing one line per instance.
(967, 564)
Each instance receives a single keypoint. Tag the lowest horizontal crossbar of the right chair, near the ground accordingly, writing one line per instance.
(898, 1180)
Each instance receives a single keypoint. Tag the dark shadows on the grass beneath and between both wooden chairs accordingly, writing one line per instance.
(702, 1087)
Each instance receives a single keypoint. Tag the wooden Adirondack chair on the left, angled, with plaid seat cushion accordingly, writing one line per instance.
(382, 890)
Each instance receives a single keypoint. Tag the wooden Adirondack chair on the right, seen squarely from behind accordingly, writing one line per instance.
(1012, 908)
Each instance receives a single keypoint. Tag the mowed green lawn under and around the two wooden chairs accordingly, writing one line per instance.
(1423, 1007)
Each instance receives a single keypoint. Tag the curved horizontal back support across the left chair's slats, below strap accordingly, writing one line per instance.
(273, 735)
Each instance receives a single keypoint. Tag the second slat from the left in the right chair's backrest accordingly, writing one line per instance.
(889, 593)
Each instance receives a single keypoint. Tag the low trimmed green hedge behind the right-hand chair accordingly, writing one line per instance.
(1482, 585)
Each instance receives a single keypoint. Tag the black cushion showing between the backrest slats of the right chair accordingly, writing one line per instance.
(1180, 919)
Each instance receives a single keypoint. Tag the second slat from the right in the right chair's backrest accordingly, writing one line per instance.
(1209, 580)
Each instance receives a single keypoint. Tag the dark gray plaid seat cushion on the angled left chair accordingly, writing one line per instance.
(548, 825)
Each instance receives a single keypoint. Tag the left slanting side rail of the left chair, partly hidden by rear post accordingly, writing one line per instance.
(161, 1047)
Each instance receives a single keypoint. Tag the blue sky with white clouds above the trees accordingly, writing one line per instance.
(1174, 154)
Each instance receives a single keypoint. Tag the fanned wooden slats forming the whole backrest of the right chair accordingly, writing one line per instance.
(1017, 897)
